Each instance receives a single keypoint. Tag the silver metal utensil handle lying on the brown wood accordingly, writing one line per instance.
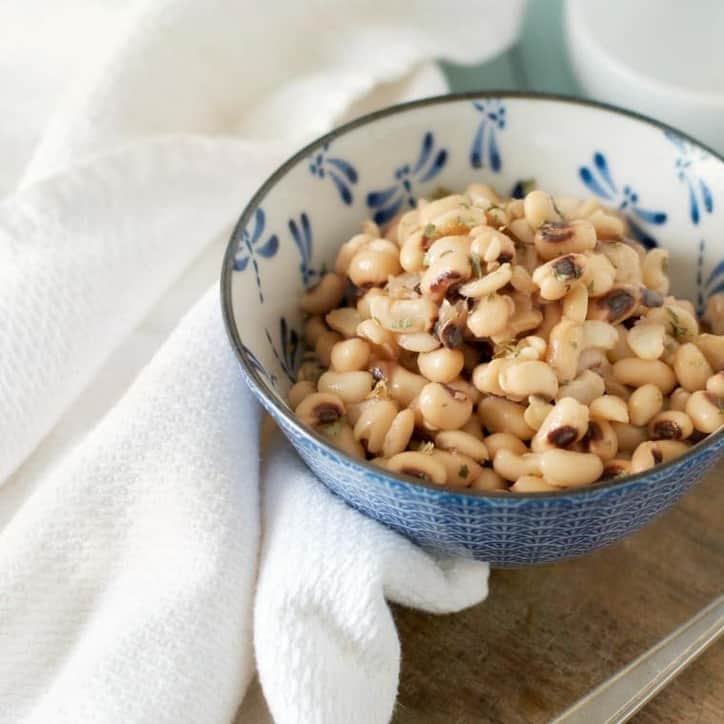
(621, 696)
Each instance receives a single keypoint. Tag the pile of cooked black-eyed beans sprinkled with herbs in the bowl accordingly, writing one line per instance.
(508, 344)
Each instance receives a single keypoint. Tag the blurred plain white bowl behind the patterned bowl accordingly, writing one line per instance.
(664, 59)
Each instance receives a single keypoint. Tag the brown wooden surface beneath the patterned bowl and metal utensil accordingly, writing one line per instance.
(547, 635)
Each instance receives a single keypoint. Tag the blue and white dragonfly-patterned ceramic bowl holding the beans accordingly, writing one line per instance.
(670, 187)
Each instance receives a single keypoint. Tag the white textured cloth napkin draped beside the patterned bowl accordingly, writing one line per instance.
(144, 571)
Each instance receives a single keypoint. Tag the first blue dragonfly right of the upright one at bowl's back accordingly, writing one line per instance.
(599, 180)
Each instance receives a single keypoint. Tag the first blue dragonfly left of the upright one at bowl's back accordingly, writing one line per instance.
(386, 203)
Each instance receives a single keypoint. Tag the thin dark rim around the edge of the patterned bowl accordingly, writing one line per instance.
(260, 385)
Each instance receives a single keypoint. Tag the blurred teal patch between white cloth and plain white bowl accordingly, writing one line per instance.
(539, 62)
